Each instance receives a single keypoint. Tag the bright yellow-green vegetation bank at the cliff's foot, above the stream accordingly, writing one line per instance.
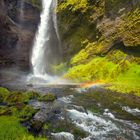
(124, 76)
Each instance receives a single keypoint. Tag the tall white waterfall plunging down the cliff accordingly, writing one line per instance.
(46, 50)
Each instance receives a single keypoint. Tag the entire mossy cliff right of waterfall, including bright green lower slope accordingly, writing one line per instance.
(101, 41)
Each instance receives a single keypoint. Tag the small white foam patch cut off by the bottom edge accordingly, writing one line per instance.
(62, 136)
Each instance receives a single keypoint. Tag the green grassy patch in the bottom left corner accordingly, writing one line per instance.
(10, 129)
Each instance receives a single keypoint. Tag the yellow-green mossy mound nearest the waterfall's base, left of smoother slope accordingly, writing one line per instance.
(98, 68)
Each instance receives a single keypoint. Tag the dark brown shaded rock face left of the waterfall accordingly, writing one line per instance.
(18, 23)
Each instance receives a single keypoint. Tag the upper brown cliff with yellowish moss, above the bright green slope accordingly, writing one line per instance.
(105, 21)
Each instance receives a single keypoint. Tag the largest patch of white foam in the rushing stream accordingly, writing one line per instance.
(95, 125)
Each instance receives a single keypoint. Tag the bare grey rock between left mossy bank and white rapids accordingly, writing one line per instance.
(47, 112)
